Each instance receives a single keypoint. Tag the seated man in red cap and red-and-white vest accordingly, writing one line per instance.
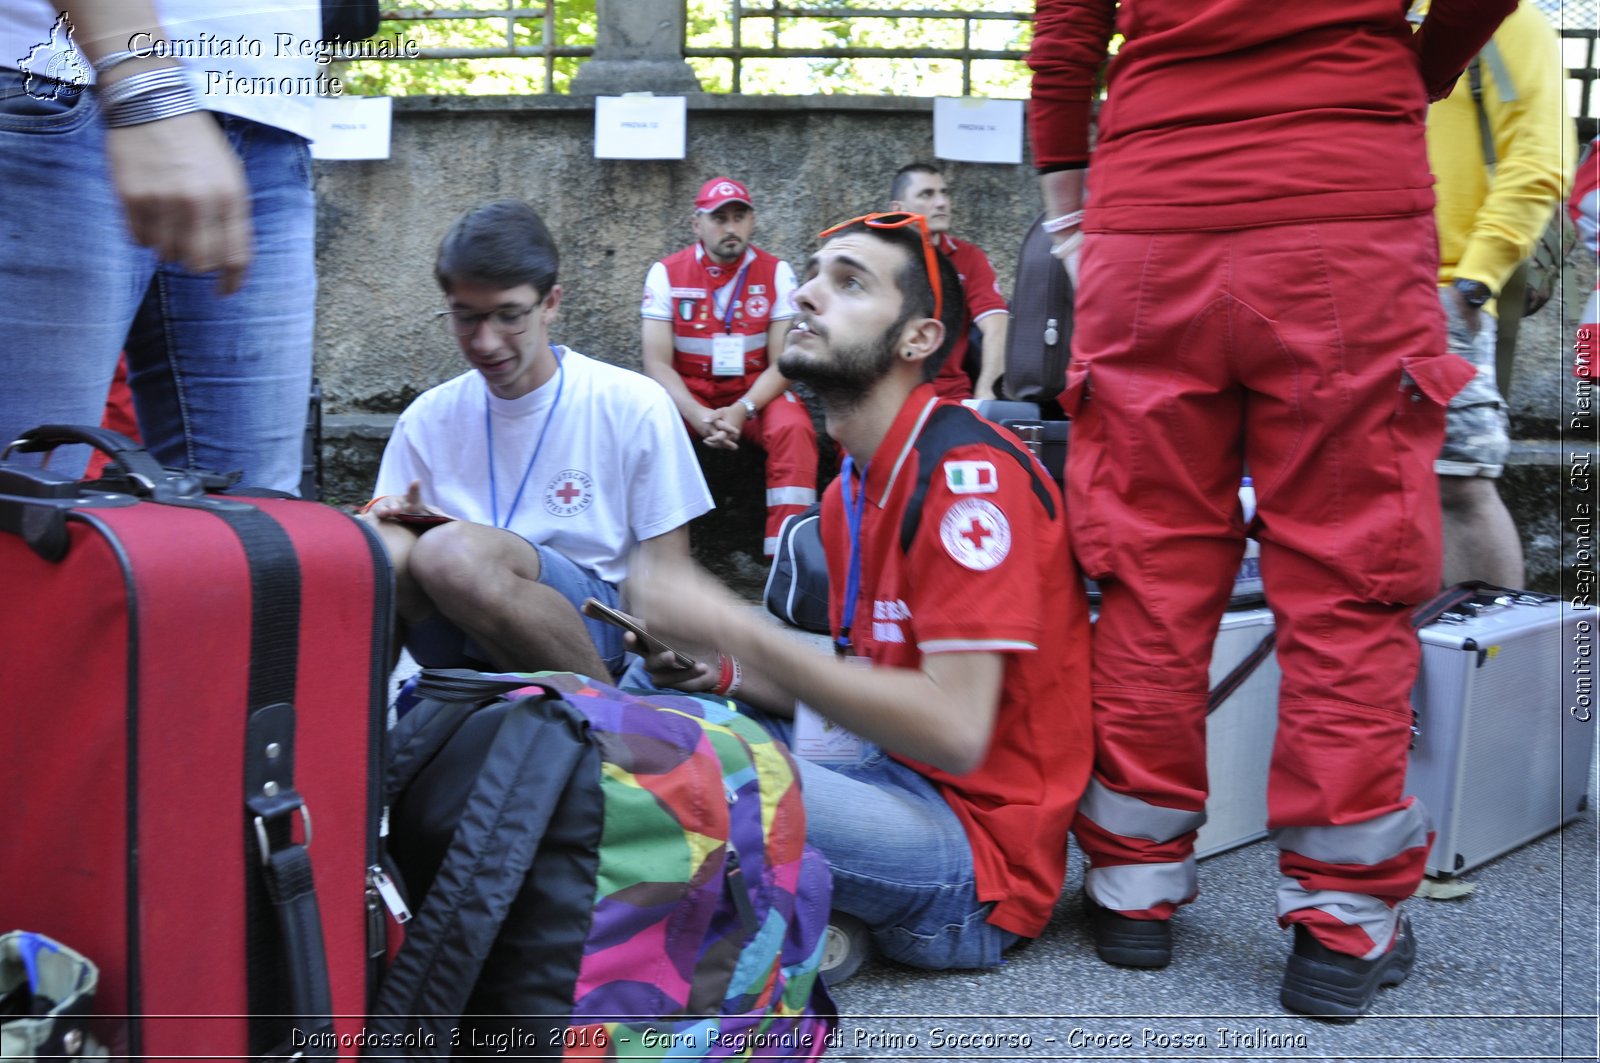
(711, 315)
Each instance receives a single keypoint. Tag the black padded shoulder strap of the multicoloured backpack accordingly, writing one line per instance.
(535, 756)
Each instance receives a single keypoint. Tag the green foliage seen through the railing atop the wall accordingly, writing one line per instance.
(710, 25)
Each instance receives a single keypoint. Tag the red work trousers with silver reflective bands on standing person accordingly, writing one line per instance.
(1314, 355)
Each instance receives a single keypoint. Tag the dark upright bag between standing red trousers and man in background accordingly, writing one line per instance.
(1039, 342)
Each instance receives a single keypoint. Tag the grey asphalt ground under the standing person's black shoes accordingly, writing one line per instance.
(1506, 973)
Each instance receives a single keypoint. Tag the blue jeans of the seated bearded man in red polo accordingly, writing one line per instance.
(900, 857)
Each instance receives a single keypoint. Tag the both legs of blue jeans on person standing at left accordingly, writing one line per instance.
(220, 382)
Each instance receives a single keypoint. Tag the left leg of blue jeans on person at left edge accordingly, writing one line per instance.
(70, 278)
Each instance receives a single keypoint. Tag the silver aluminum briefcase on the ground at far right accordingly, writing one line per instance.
(1505, 732)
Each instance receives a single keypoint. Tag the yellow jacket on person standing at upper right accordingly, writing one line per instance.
(1489, 223)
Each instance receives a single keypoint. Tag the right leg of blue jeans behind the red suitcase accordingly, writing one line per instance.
(222, 382)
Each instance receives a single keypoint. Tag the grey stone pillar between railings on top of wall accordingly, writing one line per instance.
(639, 47)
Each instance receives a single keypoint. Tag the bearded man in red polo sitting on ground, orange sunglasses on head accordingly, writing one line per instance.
(951, 577)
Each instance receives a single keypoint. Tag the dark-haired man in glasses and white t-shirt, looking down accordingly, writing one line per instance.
(554, 468)
